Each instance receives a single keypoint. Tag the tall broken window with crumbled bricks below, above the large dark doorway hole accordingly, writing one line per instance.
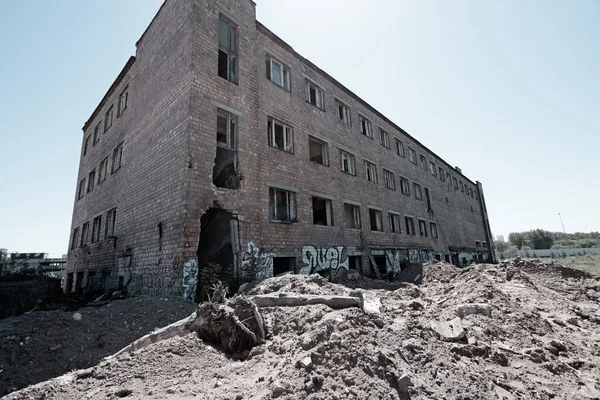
(225, 167)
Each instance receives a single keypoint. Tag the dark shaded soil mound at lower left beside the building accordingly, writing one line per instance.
(41, 345)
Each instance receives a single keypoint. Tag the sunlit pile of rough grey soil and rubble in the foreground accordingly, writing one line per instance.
(517, 330)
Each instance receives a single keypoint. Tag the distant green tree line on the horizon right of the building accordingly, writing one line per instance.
(541, 239)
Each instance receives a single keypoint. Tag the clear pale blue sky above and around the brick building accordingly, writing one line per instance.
(509, 91)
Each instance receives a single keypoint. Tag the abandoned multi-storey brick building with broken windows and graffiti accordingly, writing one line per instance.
(218, 143)
